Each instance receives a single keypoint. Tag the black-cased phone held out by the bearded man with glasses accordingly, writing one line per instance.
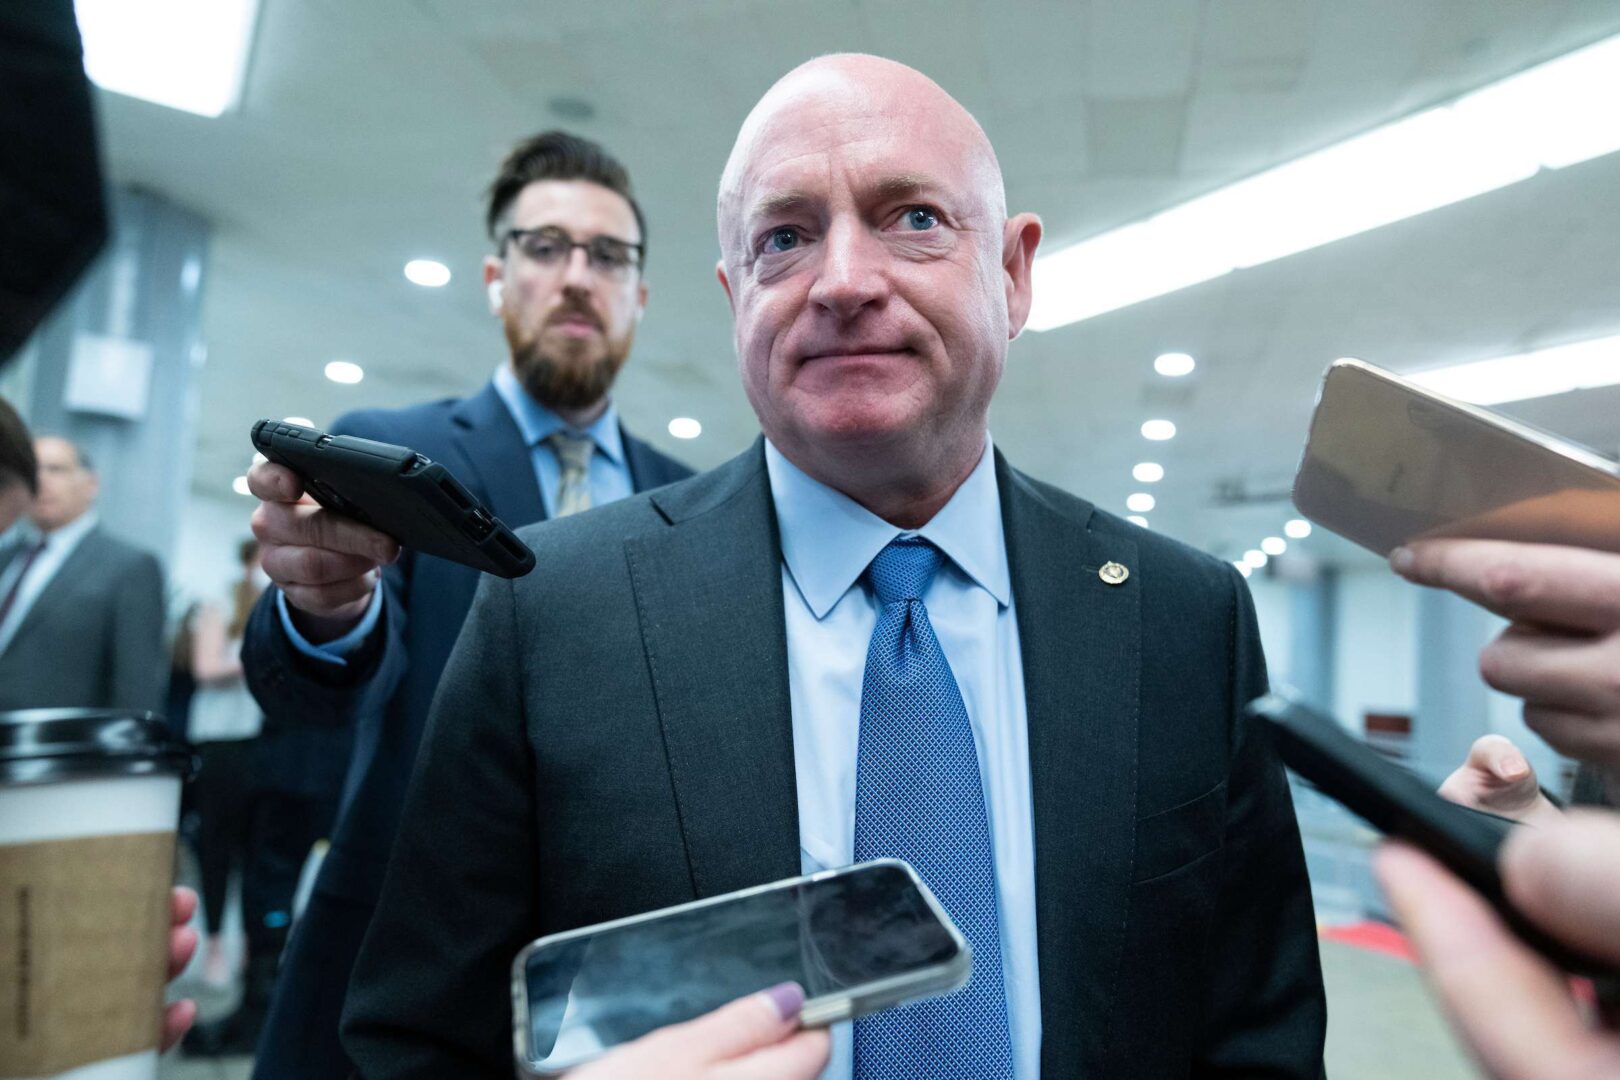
(396, 491)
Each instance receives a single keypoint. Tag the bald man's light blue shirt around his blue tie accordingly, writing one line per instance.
(829, 540)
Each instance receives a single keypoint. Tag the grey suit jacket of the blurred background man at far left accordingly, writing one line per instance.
(95, 636)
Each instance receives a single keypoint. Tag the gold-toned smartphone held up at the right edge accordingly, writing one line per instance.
(1389, 462)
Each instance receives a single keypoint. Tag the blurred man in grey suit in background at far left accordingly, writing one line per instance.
(82, 613)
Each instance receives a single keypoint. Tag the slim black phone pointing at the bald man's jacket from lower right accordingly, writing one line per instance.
(1404, 806)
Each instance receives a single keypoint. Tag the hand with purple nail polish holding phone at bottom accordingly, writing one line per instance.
(752, 1039)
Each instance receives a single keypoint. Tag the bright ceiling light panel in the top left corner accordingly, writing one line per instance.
(184, 54)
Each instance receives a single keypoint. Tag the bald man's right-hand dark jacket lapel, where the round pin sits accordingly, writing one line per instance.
(1081, 648)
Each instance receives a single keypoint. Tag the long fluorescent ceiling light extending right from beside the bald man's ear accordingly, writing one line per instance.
(1548, 117)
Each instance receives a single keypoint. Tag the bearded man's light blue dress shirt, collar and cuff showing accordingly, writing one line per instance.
(610, 478)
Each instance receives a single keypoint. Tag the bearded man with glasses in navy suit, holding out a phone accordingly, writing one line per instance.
(357, 632)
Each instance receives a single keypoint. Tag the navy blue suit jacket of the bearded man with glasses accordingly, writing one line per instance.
(385, 694)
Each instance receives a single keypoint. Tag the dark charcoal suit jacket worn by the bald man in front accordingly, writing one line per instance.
(613, 736)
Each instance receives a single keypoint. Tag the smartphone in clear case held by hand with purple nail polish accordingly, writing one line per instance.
(856, 940)
